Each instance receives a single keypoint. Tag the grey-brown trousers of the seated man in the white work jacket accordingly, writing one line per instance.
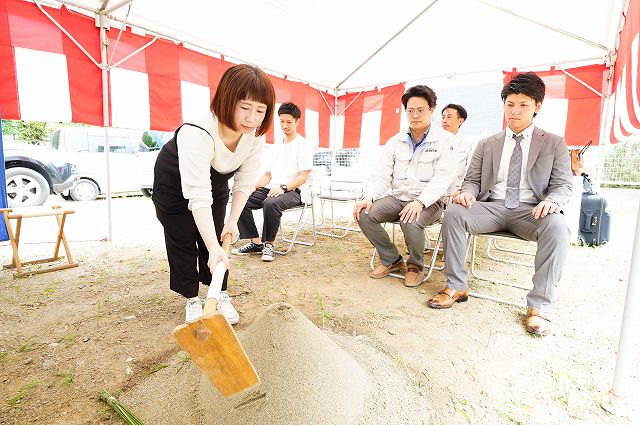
(387, 210)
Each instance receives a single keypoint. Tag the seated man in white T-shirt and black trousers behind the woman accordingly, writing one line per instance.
(280, 187)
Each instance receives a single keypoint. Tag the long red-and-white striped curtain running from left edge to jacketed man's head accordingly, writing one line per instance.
(45, 77)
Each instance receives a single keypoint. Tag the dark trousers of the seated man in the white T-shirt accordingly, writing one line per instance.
(272, 212)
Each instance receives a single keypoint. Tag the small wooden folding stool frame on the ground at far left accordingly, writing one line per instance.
(61, 216)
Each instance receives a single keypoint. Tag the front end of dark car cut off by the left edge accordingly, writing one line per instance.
(33, 172)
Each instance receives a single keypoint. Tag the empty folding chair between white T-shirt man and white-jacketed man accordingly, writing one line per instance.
(345, 191)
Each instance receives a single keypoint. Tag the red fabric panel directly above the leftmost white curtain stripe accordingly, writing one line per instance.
(30, 29)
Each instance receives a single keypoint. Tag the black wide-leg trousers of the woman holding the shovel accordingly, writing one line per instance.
(186, 252)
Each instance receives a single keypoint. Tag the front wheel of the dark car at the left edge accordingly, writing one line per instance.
(26, 187)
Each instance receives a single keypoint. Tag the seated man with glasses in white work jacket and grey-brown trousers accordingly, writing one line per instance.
(417, 167)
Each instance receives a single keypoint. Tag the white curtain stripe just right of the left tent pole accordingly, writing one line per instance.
(130, 99)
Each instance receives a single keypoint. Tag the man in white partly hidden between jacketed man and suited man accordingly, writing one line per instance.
(452, 118)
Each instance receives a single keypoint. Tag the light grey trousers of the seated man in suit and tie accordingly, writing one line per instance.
(551, 232)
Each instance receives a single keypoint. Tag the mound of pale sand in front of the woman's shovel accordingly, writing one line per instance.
(307, 378)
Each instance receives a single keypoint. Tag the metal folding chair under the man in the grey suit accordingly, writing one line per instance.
(493, 238)
